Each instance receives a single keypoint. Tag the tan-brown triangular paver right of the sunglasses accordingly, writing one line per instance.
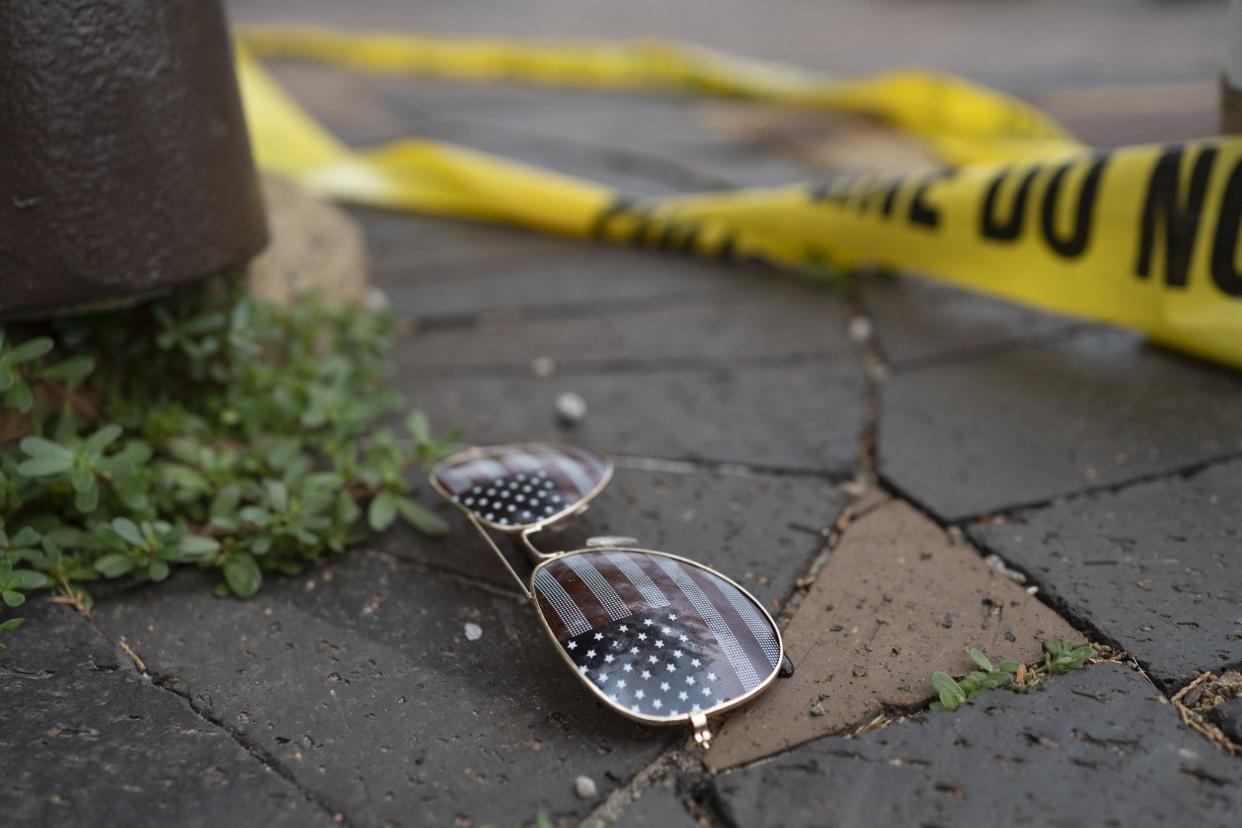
(897, 600)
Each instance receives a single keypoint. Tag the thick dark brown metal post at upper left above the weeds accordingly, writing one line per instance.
(125, 166)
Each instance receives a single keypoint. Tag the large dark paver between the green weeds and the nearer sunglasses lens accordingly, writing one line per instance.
(361, 681)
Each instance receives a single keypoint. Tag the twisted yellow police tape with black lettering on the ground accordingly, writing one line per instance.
(1146, 238)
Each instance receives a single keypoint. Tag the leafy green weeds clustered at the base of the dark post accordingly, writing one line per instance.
(207, 430)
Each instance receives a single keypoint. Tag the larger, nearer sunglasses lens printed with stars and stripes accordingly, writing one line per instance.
(659, 637)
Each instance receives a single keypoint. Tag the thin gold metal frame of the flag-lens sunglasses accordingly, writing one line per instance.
(699, 721)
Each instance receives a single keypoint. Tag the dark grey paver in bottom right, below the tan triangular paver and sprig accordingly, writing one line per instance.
(1095, 748)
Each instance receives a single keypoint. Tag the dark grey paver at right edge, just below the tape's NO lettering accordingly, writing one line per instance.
(1040, 423)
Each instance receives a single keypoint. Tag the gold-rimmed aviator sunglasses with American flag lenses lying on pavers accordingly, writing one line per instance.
(658, 637)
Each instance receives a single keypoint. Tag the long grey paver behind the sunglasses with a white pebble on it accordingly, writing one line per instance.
(808, 416)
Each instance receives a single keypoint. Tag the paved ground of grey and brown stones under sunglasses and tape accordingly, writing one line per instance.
(854, 486)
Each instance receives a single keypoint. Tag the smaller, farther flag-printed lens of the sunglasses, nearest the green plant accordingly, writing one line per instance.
(520, 486)
